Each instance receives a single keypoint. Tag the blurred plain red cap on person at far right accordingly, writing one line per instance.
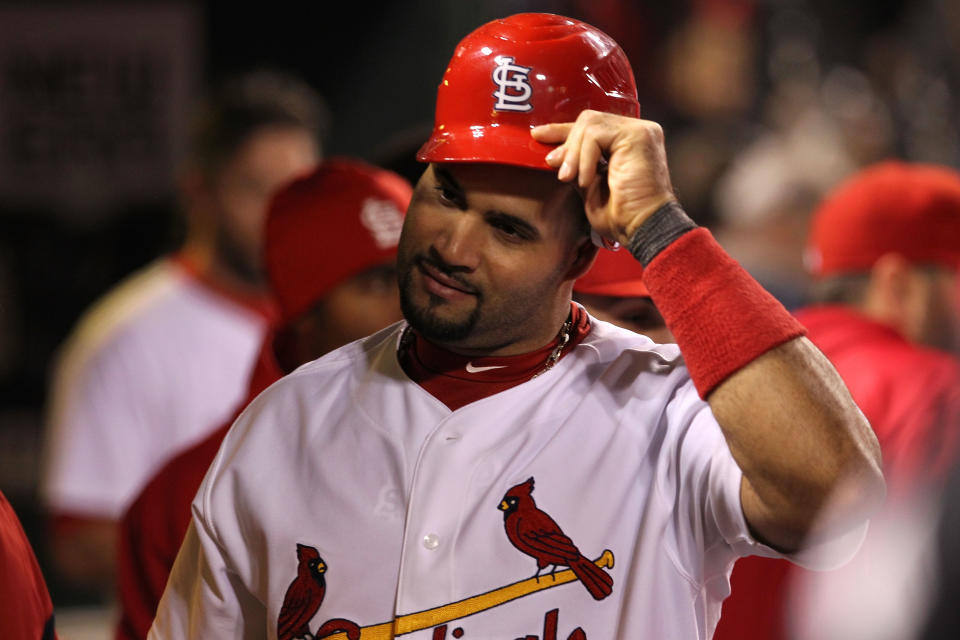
(892, 207)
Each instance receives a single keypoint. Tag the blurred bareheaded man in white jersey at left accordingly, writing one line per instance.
(164, 358)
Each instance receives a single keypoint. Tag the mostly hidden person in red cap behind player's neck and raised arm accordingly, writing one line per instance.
(613, 290)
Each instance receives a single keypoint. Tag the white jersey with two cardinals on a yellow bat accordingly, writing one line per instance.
(347, 498)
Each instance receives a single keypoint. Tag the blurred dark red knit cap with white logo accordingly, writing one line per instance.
(328, 226)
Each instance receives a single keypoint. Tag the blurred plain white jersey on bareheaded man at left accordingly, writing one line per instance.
(155, 366)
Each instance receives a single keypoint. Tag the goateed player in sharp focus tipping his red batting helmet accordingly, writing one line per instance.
(500, 464)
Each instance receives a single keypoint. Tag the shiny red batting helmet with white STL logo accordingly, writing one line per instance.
(516, 73)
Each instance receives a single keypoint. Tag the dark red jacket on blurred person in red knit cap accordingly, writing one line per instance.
(153, 528)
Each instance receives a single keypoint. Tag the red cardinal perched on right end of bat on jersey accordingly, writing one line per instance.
(535, 533)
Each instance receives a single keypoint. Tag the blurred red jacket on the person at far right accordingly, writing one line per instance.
(910, 395)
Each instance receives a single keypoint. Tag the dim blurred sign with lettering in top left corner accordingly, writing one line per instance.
(93, 103)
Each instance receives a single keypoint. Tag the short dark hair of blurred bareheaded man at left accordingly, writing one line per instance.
(240, 105)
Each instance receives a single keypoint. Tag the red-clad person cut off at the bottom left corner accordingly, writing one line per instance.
(26, 612)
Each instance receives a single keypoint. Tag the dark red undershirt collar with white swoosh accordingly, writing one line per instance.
(457, 380)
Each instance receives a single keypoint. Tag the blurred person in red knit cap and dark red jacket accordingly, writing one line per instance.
(330, 247)
